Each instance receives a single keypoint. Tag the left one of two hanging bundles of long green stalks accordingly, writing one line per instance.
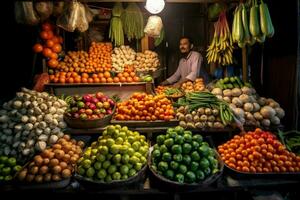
(116, 33)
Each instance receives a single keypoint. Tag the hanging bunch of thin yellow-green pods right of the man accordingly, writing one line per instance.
(220, 49)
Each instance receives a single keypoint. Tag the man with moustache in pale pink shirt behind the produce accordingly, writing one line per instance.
(189, 65)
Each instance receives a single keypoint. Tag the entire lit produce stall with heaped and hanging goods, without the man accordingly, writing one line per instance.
(98, 121)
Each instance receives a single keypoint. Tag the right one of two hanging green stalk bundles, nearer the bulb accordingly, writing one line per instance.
(133, 22)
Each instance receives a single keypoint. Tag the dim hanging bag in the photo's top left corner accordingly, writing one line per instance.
(25, 13)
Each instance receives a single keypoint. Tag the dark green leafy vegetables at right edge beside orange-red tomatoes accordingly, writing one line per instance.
(291, 139)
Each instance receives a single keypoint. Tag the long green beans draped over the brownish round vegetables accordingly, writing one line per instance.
(197, 100)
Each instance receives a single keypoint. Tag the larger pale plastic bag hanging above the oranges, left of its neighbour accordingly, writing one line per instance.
(68, 20)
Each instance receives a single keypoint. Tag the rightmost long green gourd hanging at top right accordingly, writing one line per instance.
(265, 20)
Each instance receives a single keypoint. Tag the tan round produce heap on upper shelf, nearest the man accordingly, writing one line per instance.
(147, 61)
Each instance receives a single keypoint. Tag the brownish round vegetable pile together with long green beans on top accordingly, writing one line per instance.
(200, 109)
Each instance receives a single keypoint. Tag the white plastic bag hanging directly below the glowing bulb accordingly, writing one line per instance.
(154, 26)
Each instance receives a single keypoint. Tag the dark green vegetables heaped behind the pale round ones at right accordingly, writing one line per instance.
(231, 82)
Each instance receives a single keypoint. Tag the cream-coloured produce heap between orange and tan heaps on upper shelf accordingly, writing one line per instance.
(122, 56)
